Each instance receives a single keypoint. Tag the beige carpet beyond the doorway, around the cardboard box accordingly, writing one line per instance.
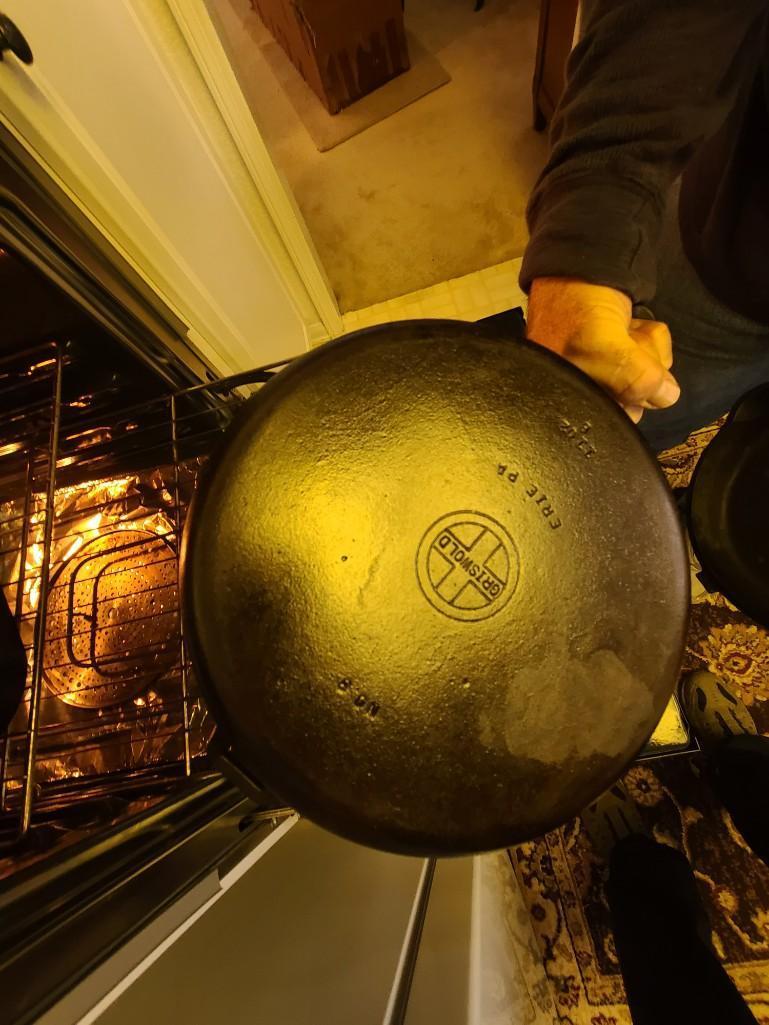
(434, 192)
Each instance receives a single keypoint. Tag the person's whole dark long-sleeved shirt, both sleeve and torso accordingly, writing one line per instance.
(657, 89)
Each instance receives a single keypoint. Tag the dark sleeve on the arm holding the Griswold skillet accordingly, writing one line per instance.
(647, 84)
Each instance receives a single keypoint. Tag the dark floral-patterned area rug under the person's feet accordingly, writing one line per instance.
(562, 879)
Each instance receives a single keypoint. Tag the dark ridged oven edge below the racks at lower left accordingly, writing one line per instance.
(92, 905)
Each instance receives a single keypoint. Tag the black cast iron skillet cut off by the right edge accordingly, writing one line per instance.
(730, 507)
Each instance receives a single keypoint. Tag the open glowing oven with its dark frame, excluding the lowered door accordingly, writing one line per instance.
(105, 425)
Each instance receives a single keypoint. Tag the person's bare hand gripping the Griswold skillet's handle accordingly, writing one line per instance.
(593, 327)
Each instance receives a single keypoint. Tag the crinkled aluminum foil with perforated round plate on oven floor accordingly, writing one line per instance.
(112, 686)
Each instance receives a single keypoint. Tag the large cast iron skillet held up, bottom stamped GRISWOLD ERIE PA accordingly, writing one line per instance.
(435, 589)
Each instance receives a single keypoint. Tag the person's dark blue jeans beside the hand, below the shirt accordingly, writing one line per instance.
(718, 354)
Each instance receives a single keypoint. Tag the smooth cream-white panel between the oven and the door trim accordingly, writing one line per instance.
(116, 110)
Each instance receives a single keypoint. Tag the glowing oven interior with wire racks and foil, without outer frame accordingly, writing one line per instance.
(99, 462)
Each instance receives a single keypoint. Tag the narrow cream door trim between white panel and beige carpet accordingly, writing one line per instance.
(293, 240)
